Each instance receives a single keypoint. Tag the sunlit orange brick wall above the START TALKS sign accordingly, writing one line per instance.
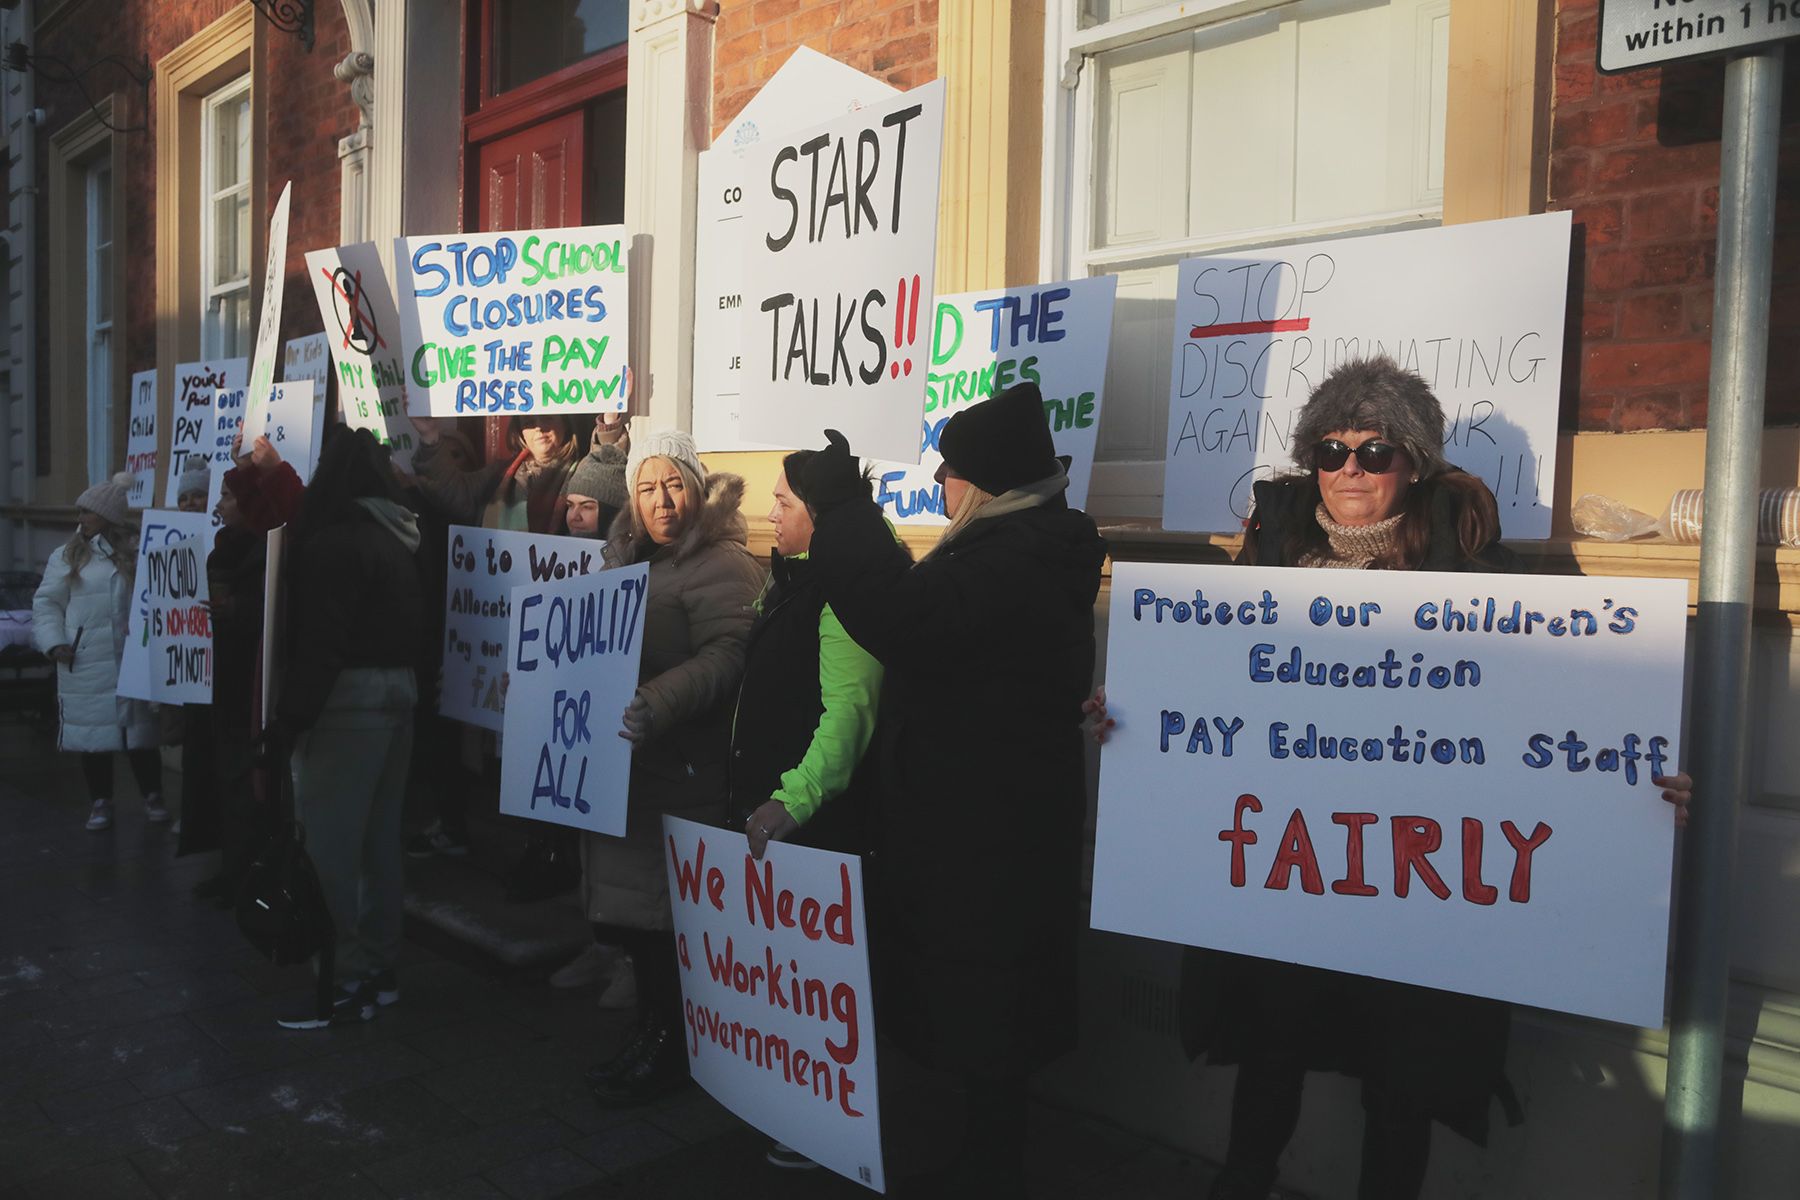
(894, 40)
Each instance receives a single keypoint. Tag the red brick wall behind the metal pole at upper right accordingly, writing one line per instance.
(1635, 157)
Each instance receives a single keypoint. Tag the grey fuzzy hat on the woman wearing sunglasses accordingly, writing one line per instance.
(1383, 397)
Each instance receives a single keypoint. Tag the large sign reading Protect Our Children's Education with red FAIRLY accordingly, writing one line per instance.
(1434, 778)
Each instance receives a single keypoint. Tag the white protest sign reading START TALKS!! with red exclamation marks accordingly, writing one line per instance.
(841, 238)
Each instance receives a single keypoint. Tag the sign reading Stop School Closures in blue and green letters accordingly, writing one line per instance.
(516, 323)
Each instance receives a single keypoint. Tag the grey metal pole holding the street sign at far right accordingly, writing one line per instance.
(1722, 647)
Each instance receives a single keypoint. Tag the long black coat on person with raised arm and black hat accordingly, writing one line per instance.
(976, 776)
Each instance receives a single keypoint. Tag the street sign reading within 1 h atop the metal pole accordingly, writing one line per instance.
(1644, 33)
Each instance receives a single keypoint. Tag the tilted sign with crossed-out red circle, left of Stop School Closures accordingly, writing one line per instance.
(363, 332)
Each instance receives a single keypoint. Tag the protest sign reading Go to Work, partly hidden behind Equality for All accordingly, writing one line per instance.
(485, 568)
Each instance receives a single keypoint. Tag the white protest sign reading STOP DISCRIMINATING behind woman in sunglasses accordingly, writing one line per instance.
(1473, 309)
